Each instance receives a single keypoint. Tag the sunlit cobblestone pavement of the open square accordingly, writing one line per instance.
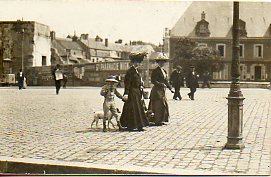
(35, 123)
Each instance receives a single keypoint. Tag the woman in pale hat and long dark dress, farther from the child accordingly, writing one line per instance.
(158, 101)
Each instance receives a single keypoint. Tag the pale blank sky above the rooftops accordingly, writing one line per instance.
(112, 19)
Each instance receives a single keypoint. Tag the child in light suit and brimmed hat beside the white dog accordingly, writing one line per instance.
(109, 91)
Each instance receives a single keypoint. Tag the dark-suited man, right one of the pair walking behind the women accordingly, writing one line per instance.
(192, 82)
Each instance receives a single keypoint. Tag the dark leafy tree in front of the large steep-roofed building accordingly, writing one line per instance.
(187, 52)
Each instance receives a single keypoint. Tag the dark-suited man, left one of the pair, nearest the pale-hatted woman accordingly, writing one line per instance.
(177, 81)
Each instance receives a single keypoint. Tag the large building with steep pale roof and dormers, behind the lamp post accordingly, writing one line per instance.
(210, 24)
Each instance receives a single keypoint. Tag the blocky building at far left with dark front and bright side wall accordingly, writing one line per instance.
(24, 44)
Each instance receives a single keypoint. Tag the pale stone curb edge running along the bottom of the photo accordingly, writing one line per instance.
(38, 166)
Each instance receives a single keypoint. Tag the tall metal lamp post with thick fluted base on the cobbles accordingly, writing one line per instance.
(235, 96)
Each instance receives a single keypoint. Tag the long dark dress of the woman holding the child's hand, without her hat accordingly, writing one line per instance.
(133, 115)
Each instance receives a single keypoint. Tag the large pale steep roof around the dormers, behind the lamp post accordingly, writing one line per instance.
(256, 15)
